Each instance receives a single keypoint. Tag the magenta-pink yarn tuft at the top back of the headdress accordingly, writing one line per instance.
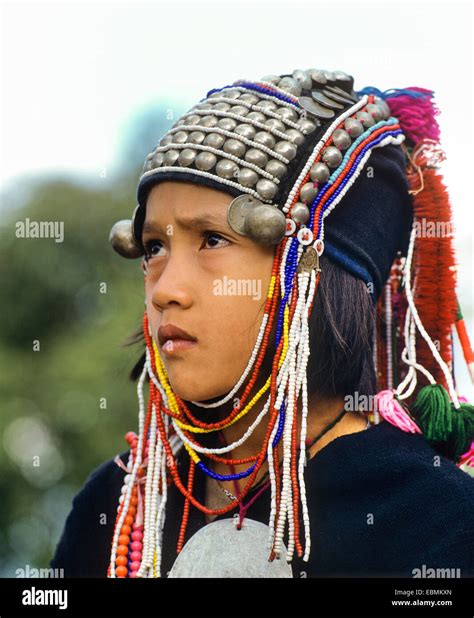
(416, 114)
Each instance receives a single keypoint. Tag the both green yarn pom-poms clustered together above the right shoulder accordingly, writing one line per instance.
(450, 430)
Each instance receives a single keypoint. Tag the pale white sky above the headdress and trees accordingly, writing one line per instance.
(75, 75)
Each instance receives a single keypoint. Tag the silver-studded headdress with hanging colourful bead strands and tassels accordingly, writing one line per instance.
(291, 150)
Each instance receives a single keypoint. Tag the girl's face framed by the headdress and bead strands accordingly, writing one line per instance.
(205, 279)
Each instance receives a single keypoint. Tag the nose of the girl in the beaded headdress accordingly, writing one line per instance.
(173, 286)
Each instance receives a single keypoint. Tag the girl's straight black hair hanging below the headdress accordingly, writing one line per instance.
(341, 328)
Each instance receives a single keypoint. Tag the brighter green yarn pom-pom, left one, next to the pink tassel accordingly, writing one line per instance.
(433, 410)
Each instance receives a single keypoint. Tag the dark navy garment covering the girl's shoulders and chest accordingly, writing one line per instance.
(421, 512)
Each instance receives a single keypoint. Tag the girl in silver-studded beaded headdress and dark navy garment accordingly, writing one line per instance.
(301, 421)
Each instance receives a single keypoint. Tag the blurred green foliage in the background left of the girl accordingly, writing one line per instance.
(79, 301)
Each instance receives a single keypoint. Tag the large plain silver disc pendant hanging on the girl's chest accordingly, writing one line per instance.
(221, 550)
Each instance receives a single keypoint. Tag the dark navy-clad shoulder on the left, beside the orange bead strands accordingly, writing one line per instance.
(83, 548)
